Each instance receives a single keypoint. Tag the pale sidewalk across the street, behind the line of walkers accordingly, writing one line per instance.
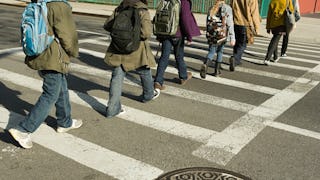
(307, 30)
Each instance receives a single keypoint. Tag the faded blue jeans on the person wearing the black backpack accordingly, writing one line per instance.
(118, 74)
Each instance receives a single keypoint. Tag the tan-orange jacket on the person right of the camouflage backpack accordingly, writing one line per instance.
(246, 13)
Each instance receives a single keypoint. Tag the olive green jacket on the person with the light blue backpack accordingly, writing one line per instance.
(57, 56)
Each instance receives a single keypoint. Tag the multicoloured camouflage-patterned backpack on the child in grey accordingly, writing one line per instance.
(217, 30)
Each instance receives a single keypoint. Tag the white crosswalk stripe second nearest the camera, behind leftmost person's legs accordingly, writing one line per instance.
(143, 118)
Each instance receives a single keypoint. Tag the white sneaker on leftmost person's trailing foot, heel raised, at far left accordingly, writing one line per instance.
(22, 137)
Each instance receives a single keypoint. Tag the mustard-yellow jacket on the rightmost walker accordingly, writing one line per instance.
(276, 13)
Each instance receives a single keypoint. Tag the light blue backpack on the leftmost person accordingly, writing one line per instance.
(34, 28)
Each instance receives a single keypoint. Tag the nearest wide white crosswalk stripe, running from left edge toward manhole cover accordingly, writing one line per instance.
(84, 152)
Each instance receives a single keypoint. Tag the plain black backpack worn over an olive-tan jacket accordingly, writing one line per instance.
(125, 31)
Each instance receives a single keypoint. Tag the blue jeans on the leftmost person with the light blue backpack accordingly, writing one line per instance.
(55, 92)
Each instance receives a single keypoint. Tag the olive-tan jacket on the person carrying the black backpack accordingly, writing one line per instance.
(143, 55)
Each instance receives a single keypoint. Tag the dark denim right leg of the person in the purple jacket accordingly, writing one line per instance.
(178, 47)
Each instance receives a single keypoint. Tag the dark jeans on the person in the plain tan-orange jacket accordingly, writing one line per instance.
(241, 42)
